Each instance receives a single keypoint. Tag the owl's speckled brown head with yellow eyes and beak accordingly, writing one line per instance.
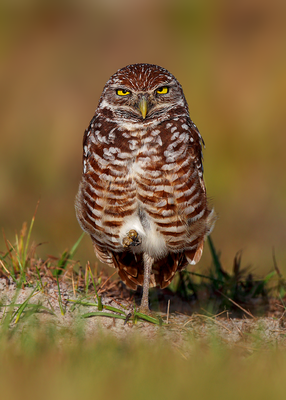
(143, 93)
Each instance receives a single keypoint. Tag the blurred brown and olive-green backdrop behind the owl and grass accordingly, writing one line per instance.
(230, 58)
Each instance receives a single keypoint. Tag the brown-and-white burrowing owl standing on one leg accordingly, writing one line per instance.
(142, 196)
